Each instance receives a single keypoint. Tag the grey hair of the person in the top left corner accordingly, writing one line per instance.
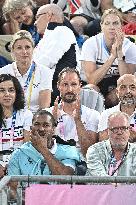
(10, 6)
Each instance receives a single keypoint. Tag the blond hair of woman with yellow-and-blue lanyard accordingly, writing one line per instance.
(22, 34)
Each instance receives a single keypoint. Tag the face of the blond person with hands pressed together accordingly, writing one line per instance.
(110, 26)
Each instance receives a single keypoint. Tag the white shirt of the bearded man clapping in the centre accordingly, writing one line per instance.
(66, 128)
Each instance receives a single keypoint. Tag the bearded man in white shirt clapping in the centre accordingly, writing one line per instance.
(75, 121)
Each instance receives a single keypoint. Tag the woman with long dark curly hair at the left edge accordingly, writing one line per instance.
(15, 121)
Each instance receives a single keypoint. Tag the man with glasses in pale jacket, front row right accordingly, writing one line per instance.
(115, 156)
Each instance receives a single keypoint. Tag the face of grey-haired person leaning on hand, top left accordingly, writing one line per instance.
(24, 15)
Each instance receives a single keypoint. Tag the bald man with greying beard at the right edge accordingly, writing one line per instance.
(126, 92)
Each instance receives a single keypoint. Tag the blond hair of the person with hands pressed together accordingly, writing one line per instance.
(111, 11)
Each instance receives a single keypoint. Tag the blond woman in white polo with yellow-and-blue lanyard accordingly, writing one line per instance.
(35, 80)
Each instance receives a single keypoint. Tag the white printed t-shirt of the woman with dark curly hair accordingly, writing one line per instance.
(23, 121)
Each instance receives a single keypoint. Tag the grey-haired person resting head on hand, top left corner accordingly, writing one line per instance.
(20, 15)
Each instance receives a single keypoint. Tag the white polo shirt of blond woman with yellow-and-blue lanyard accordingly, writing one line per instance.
(42, 81)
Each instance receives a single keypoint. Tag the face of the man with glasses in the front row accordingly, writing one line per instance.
(119, 132)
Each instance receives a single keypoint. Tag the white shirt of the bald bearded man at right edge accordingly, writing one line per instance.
(103, 121)
